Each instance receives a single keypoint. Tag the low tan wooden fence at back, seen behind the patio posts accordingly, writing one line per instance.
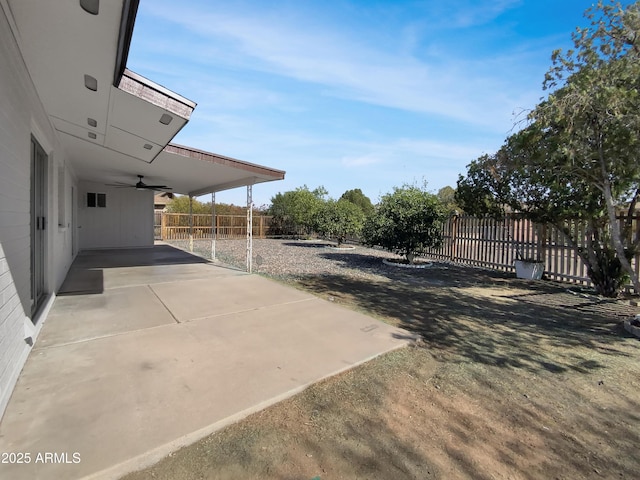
(175, 226)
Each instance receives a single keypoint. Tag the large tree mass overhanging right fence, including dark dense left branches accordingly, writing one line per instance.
(578, 156)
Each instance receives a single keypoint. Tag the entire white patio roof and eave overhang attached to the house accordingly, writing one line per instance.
(113, 123)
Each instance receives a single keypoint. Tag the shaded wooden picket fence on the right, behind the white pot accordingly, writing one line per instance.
(493, 244)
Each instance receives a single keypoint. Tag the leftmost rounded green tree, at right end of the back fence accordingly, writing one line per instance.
(294, 211)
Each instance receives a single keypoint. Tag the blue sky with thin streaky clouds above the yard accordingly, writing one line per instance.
(352, 94)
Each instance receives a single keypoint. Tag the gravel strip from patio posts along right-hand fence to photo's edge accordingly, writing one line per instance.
(294, 261)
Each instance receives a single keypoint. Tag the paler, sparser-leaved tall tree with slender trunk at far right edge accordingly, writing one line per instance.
(595, 118)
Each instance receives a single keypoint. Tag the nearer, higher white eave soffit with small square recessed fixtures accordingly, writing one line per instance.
(62, 44)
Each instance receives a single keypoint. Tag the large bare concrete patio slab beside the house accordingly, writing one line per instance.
(148, 350)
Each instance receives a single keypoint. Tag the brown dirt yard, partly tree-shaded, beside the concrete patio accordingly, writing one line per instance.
(512, 379)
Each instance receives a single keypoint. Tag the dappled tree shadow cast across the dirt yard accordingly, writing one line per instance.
(477, 316)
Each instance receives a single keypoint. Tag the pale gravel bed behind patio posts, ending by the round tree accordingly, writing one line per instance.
(292, 259)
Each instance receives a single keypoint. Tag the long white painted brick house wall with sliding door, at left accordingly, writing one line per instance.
(21, 117)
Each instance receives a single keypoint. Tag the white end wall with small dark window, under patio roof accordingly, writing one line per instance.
(125, 222)
